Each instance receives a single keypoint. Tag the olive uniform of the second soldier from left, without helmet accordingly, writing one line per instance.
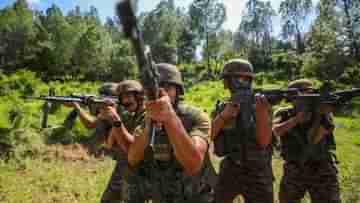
(116, 190)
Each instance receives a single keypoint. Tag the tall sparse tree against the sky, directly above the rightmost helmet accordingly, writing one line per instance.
(294, 15)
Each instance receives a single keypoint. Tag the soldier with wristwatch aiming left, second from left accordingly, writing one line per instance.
(131, 95)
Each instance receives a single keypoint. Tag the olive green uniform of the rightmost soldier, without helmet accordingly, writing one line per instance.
(308, 167)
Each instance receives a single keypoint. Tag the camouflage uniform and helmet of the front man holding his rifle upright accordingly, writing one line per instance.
(168, 180)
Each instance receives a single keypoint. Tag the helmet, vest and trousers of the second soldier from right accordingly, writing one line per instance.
(246, 168)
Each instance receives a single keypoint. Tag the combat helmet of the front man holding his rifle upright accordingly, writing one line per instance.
(170, 74)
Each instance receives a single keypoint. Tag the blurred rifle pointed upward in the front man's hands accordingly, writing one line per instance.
(149, 75)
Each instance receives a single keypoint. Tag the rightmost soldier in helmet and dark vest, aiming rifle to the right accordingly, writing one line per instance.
(306, 143)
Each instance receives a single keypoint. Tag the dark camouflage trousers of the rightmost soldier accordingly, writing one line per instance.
(318, 178)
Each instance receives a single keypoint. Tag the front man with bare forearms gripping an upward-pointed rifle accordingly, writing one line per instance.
(179, 164)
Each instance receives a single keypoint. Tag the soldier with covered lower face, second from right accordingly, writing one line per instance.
(241, 131)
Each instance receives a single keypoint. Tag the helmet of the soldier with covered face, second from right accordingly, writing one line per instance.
(237, 67)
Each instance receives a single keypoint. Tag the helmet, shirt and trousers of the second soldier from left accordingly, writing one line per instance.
(117, 188)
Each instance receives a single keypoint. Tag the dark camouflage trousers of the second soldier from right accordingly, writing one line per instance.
(253, 181)
